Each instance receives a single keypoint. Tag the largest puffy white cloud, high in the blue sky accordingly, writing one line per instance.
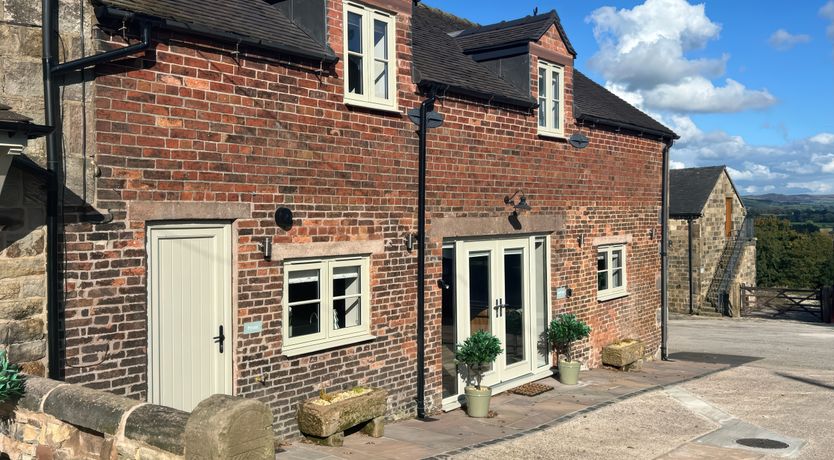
(643, 57)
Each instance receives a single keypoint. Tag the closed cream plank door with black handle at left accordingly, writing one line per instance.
(190, 313)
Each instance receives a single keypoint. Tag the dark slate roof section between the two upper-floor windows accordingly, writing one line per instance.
(439, 59)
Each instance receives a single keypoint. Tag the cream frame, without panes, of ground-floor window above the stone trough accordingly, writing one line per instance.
(328, 336)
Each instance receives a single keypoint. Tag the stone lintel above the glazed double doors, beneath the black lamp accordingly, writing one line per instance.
(452, 227)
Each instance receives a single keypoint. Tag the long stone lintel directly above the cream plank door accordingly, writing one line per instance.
(185, 210)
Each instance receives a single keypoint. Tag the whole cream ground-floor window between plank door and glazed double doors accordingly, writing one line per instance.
(326, 304)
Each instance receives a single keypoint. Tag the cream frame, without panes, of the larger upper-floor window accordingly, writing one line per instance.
(369, 99)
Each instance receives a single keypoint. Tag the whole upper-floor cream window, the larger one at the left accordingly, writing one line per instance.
(370, 57)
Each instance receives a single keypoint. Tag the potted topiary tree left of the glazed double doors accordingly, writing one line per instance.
(477, 353)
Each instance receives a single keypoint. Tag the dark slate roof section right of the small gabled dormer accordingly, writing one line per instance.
(593, 102)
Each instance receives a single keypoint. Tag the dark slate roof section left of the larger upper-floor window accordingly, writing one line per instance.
(256, 20)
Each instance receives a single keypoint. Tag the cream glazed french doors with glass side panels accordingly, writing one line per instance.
(500, 286)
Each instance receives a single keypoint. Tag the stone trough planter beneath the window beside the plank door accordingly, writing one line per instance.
(325, 422)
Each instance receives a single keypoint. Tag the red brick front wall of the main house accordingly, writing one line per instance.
(198, 125)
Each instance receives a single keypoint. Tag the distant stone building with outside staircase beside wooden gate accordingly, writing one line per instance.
(709, 226)
